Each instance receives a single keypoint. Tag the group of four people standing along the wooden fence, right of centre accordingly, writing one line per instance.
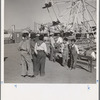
(67, 48)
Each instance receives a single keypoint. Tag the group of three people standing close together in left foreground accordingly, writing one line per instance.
(33, 51)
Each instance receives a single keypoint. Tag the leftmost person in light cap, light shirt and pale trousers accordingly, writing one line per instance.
(26, 62)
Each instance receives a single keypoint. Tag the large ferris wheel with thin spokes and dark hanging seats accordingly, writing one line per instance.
(77, 15)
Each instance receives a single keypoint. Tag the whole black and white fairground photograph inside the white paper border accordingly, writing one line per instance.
(50, 41)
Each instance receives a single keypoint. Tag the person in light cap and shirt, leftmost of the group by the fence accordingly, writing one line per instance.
(52, 47)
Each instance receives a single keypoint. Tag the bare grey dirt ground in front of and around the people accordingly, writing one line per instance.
(55, 73)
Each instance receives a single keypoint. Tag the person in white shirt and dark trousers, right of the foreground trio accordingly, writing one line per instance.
(41, 51)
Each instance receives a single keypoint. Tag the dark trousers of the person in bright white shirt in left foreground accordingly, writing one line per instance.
(41, 58)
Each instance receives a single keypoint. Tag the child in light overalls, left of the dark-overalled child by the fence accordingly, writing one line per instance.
(65, 52)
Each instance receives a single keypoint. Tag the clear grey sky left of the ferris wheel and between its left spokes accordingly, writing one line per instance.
(23, 13)
